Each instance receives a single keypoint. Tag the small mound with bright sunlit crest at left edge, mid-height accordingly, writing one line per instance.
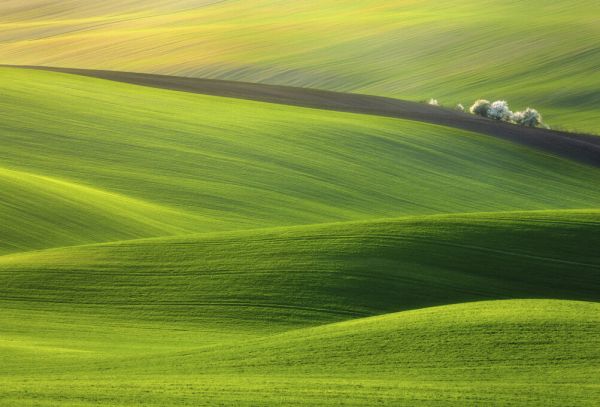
(37, 212)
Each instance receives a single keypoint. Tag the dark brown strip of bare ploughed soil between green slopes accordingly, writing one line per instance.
(575, 146)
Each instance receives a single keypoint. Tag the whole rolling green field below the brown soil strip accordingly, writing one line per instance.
(165, 248)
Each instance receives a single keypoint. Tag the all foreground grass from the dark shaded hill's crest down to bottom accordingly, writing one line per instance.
(178, 315)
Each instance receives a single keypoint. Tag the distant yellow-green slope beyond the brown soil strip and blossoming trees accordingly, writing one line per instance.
(543, 54)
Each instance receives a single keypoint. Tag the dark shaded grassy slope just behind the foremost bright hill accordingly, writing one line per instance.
(335, 271)
